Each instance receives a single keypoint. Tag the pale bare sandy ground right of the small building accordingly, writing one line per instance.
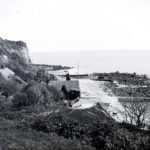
(92, 92)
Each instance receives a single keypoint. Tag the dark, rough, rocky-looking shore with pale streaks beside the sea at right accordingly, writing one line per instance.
(128, 85)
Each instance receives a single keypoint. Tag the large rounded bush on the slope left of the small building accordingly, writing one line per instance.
(32, 94)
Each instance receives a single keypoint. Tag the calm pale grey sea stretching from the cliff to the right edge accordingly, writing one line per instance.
(97, 61)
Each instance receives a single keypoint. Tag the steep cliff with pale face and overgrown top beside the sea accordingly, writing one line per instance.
(14, 53)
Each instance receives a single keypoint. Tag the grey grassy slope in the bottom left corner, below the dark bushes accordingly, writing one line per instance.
(16, 134)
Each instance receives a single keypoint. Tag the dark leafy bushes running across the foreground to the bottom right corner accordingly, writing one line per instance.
(101, 135)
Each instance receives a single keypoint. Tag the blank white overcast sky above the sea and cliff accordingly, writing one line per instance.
(49, 25)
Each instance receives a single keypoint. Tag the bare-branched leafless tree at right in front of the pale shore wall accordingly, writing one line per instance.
(136, 111)
